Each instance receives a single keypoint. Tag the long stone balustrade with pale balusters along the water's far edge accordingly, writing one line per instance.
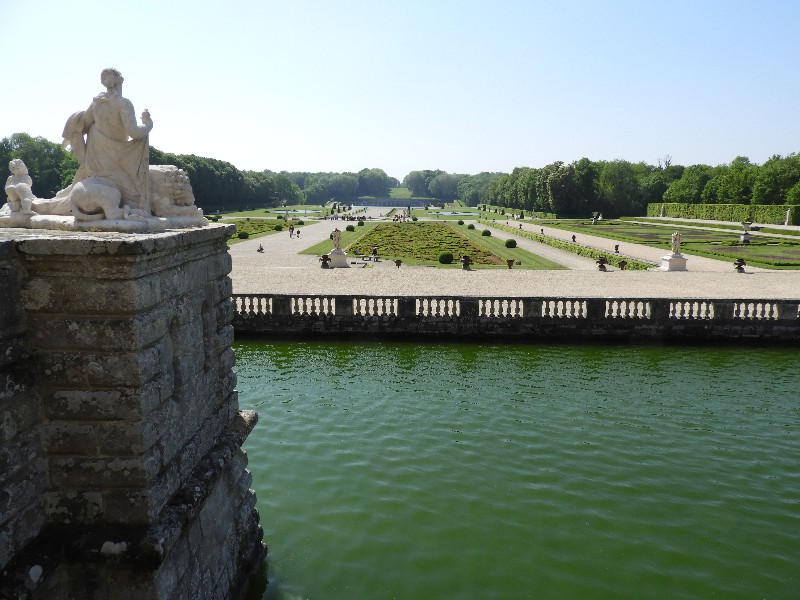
(525, 318)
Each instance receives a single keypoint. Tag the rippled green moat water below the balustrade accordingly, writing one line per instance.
(491, 471)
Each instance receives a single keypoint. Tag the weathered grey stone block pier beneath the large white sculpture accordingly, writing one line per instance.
(121, 469)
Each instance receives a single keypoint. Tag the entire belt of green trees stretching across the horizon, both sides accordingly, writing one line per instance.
(579, 188)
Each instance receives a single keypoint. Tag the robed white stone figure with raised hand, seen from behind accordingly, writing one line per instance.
(115, 150)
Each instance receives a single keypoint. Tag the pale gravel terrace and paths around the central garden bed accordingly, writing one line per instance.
(281, 270)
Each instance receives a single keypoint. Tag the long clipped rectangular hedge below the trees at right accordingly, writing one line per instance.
(756, 213)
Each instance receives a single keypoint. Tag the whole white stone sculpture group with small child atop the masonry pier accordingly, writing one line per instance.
(114, 188)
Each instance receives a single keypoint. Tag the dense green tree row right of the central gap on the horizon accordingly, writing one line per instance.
(617, 187)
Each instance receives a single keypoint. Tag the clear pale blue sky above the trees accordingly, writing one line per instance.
(462, 86)
